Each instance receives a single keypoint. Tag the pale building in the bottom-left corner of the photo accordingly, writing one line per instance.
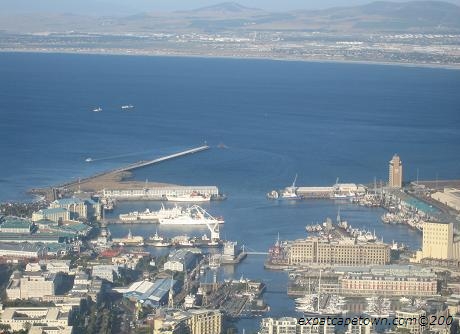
(18, 317)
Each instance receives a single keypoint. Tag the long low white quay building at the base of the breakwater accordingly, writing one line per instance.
(159, 192)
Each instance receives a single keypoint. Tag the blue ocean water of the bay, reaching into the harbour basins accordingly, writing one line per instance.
(277, 119)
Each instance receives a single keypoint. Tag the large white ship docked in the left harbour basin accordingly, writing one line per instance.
(194, 215)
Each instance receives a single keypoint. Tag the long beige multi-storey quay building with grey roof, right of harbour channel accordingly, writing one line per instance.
(347, 251)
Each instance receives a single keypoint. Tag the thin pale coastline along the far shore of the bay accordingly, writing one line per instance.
(238, 57)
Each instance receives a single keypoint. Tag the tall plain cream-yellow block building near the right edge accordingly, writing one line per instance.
(438, 242)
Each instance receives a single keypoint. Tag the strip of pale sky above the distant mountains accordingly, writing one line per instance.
(126, 7)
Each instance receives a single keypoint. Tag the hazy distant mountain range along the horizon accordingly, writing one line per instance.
(380, 16)
